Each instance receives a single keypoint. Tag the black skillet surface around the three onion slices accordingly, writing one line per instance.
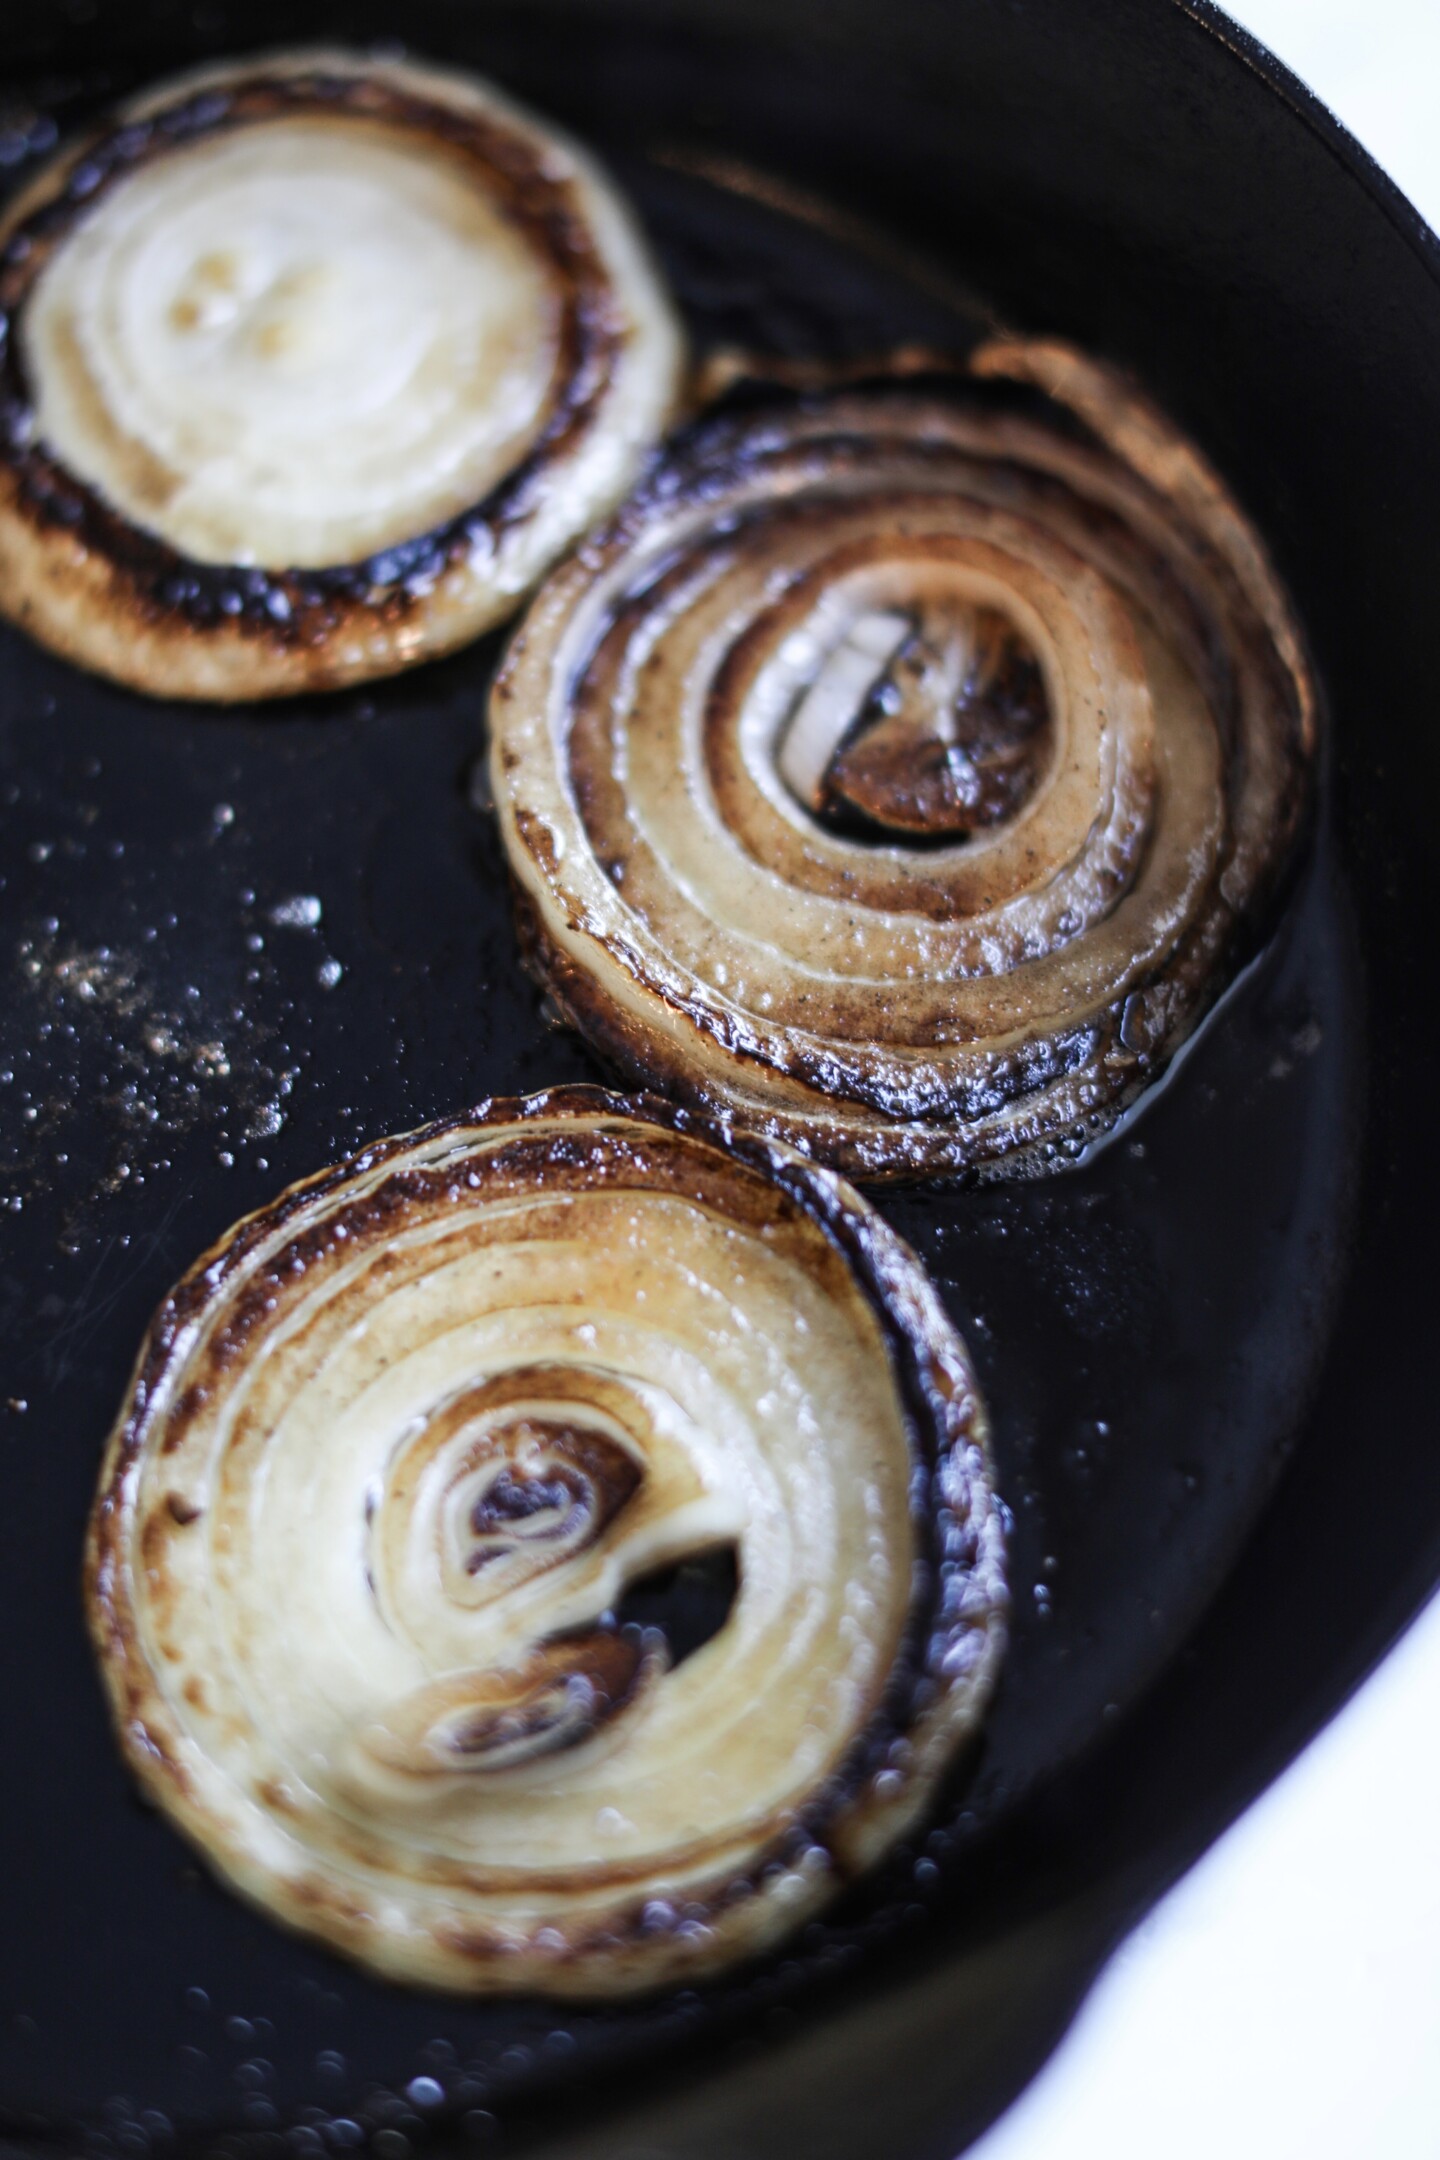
(234, 949)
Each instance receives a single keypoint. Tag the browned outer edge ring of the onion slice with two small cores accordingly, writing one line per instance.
(623, 1949)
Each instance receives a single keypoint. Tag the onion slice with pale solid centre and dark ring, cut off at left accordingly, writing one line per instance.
(312, 368)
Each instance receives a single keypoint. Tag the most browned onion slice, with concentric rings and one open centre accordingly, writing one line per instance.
(906, 770)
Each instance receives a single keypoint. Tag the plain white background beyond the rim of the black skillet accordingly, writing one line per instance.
(1286, 1999)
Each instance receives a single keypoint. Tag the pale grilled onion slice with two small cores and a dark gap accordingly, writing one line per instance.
(398, 1448)
